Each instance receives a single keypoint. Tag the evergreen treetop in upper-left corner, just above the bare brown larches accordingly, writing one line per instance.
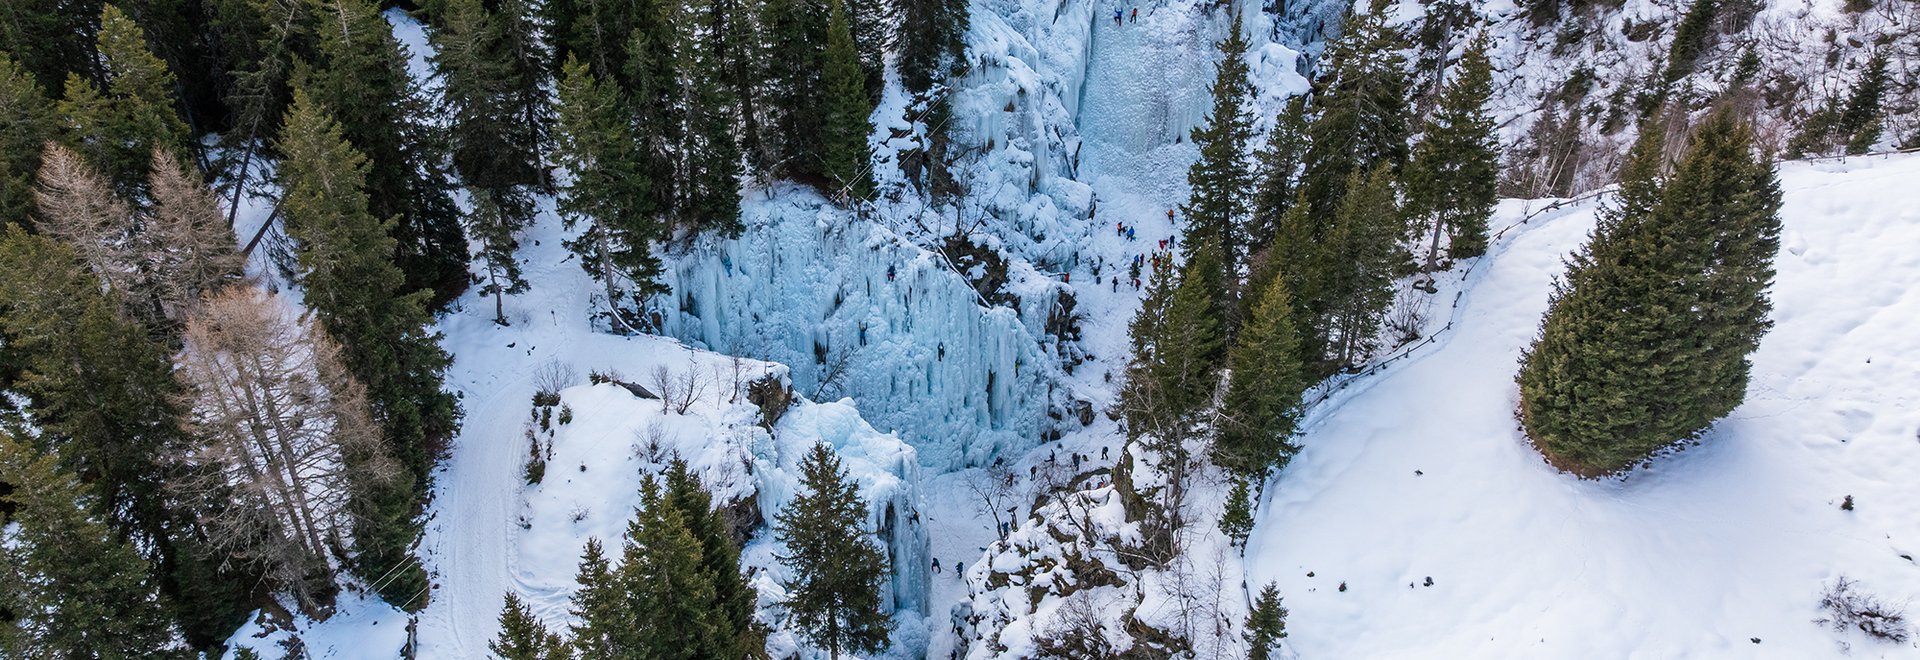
(118, 128)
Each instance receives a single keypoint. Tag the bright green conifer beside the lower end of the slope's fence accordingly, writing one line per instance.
(1262, 390)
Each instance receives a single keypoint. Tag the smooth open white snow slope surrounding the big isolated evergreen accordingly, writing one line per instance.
(1424, 475)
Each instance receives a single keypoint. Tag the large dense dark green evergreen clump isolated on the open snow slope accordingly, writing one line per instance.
(1646, 341)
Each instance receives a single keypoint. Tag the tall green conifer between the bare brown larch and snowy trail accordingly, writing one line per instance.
(358, 296)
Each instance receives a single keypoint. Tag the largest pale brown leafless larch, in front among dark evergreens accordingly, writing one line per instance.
(287, 438)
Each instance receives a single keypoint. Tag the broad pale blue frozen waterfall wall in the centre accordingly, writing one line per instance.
(859, 312)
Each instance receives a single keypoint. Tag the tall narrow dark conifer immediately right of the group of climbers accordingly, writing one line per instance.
(1222, 179)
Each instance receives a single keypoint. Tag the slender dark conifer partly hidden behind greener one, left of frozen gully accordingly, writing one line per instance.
(734, 598)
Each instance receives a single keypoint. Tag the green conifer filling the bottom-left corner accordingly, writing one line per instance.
(74, 586)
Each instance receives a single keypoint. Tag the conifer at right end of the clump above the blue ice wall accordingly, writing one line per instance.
(846, 154)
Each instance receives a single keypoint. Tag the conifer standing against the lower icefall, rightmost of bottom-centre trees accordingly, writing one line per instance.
(834, 596)
